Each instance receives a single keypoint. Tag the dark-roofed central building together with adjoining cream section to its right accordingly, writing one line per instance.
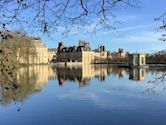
(81, 54)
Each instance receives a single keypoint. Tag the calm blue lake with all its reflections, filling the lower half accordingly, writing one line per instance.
(88, 95)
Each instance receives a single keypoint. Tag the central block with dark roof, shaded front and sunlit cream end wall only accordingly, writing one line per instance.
(80, 54)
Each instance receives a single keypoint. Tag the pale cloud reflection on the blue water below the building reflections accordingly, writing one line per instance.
(105, 102)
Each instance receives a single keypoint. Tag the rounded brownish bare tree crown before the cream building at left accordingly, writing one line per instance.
(15, 46)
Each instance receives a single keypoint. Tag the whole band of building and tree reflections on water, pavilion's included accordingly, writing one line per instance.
(33, 78)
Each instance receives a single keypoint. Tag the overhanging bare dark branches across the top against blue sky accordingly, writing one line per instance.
(60, 15)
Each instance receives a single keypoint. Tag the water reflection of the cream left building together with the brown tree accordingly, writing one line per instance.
(27, 81)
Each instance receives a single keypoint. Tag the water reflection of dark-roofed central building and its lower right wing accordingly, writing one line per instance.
(84, 74)
